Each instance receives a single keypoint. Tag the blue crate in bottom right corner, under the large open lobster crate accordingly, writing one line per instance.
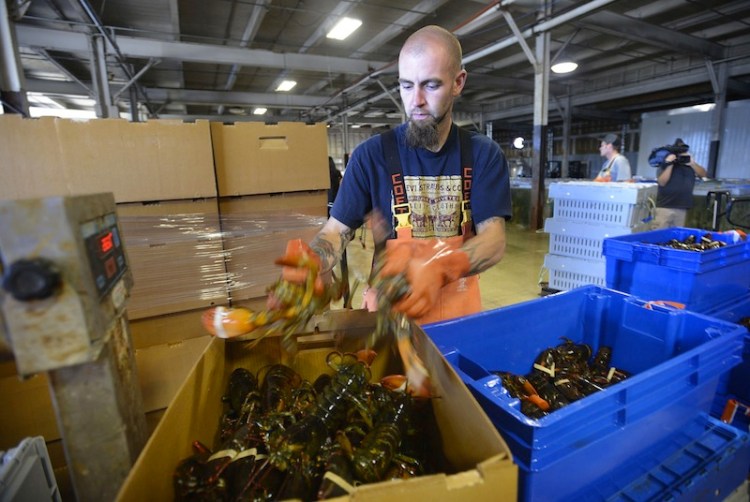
(705, 460)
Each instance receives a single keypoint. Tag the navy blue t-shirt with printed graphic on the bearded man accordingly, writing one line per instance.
(433, 184)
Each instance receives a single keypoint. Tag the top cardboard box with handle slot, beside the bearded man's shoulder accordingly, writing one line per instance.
(256, 158)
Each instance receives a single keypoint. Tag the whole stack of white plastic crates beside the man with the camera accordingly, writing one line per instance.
(584, 214)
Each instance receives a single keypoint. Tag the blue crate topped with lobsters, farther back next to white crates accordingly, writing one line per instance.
(637, 265)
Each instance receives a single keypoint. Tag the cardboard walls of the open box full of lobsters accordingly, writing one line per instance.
(479, 463)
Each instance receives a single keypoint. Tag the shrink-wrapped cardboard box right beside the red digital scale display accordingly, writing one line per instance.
(176, 254)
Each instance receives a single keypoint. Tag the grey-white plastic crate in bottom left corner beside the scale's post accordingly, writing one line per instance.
(26, 473)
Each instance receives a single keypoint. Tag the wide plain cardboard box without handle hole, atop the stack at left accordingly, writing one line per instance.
(137, 161)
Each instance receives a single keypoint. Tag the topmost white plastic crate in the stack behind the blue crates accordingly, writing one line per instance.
(624, 204)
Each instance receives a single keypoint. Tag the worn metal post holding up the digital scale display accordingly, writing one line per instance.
(99, 411)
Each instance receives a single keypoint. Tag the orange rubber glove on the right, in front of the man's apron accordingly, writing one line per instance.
(428, 264)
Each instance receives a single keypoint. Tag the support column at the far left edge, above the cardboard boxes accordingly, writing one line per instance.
(12, 81)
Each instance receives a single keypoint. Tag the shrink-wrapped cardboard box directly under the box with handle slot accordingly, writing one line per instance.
(256, 229)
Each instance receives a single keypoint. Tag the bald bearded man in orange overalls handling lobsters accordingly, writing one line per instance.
(439, 194)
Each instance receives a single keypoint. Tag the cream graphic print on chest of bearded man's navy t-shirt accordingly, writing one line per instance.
(435, 204)
